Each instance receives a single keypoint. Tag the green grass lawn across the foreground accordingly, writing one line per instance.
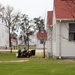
(35, 65)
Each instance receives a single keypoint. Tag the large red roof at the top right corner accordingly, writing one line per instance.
(64, 8)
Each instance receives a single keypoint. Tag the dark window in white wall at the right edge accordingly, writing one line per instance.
(72, 32)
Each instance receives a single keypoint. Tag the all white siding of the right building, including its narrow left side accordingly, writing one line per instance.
(61, 46)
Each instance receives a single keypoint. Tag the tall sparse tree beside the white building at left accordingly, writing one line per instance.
(9, 19)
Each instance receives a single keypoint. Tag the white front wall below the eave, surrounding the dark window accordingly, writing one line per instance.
(65, 48)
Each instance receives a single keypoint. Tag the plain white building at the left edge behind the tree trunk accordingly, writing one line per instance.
(4, 35)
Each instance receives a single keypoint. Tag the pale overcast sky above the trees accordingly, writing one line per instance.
(33, 8)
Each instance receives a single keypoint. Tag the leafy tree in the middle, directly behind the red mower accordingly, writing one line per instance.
(26, 28)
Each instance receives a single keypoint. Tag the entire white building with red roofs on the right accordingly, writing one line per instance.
(61, 30)
